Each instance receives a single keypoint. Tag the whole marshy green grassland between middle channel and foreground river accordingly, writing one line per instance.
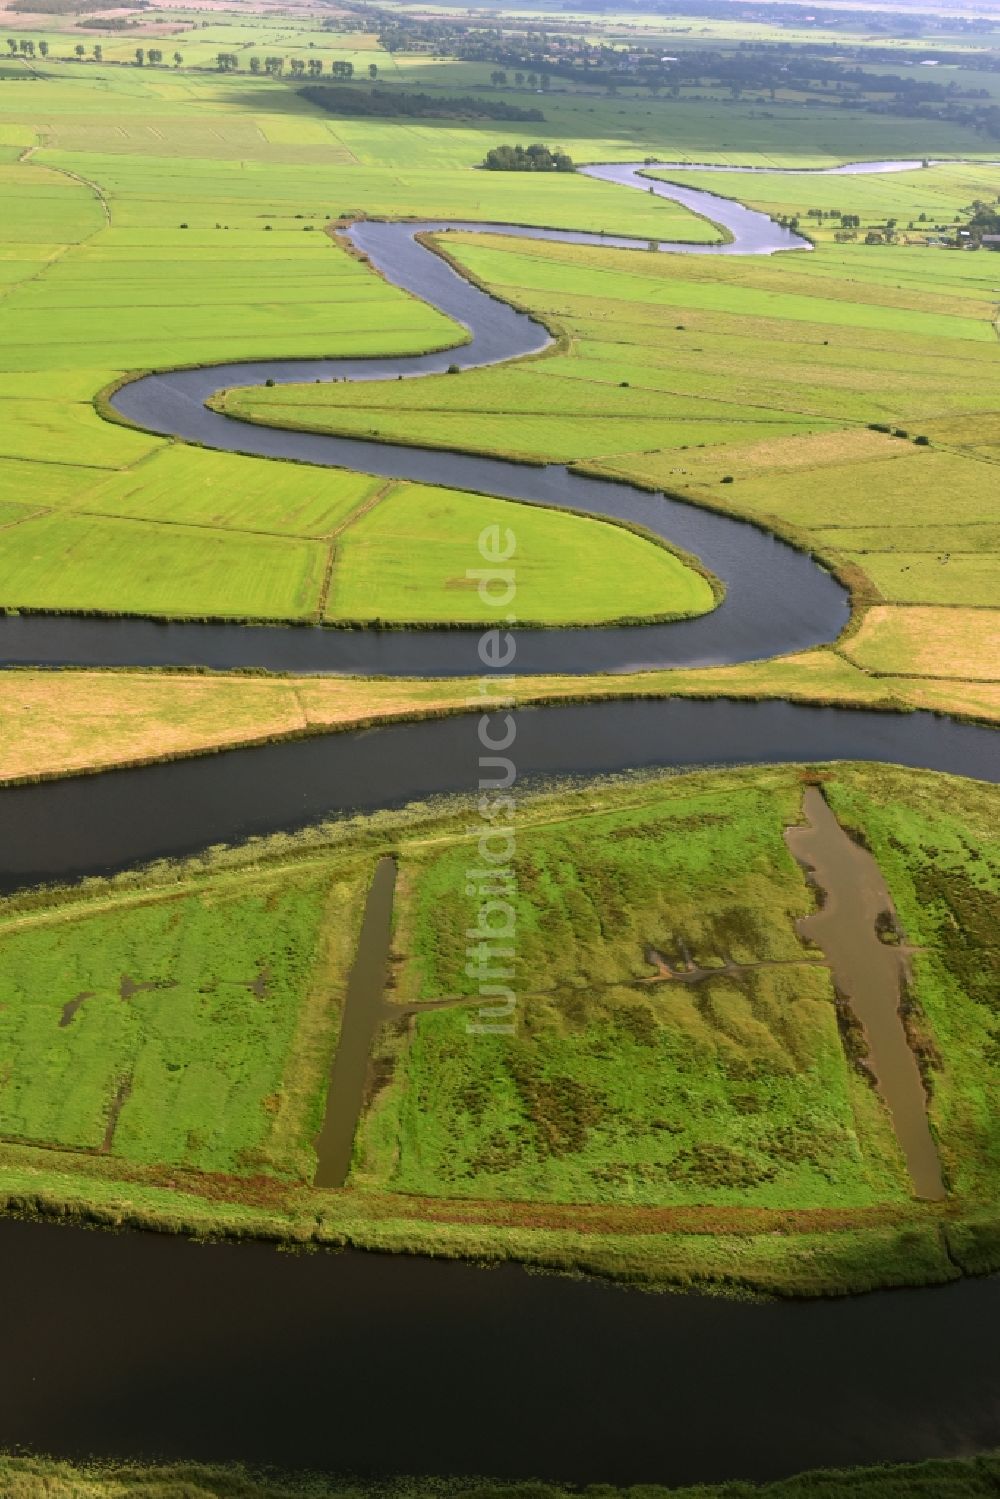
(710, 1132)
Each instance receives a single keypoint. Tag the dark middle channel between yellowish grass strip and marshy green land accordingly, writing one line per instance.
(94, 825)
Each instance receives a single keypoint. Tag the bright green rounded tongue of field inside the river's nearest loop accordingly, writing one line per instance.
(305, 551)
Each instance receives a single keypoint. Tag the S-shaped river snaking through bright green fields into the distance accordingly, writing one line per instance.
(777, 600)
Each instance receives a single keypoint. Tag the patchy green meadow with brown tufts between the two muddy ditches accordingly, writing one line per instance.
(614, 1091)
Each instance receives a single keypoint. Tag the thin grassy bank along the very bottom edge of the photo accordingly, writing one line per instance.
(37, 1477)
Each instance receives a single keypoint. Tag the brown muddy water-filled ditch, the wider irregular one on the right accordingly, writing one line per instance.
(867, 972)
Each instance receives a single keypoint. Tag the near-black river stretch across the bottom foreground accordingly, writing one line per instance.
(145, 1345)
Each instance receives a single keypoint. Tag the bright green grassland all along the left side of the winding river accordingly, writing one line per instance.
(164, 218)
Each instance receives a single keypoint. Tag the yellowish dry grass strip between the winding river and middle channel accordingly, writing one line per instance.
(76, 722)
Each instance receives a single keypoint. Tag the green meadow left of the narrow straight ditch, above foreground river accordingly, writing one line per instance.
(179, 1028)
